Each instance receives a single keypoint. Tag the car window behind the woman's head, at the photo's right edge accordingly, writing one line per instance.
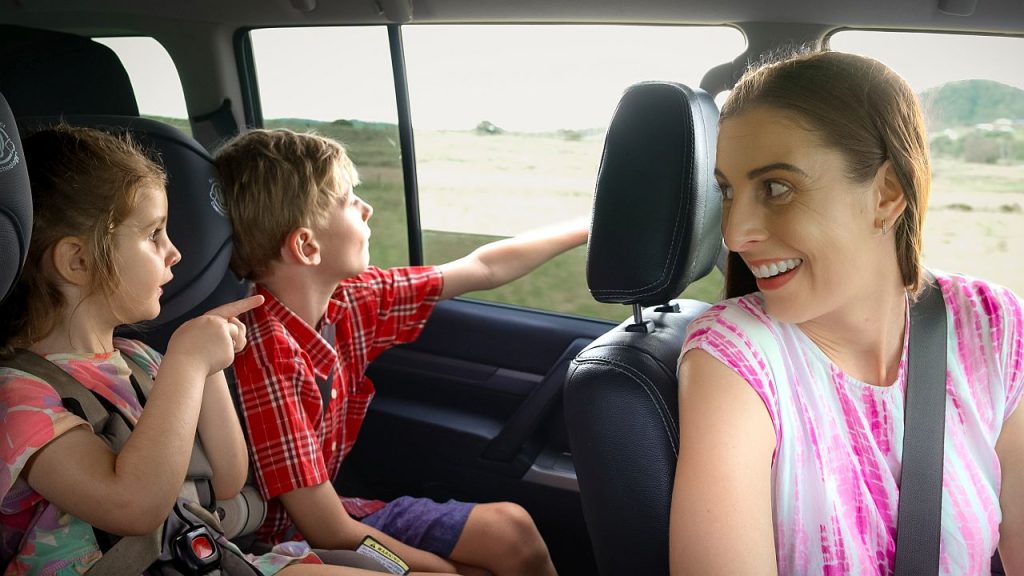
(972, 93)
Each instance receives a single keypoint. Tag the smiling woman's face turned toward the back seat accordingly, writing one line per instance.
(807, 232)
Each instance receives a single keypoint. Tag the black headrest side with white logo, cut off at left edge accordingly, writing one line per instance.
(16, 202)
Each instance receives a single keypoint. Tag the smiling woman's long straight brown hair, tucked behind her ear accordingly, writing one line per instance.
(861, 108)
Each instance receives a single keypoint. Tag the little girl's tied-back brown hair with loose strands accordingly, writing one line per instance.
(84, 184)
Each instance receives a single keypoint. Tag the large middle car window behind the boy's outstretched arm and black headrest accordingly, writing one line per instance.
(509, 126)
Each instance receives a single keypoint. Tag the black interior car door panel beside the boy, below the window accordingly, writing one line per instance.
(473, 412)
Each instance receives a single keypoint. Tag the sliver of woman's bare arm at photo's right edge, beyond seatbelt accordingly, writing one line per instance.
(1010, 449)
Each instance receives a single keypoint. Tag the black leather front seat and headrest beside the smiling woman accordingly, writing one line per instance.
(656, 230)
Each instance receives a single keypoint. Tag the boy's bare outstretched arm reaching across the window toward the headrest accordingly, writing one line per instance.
(502, 262)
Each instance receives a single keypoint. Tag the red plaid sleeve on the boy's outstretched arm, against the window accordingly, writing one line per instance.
(393, 305)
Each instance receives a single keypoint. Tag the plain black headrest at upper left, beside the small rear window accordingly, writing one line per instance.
(49, 73)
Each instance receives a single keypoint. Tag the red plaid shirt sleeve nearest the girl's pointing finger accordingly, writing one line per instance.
(276, 388)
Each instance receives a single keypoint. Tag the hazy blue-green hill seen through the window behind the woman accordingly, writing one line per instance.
(971, 102)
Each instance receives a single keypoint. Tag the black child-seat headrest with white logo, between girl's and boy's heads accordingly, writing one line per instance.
(197, 223)
